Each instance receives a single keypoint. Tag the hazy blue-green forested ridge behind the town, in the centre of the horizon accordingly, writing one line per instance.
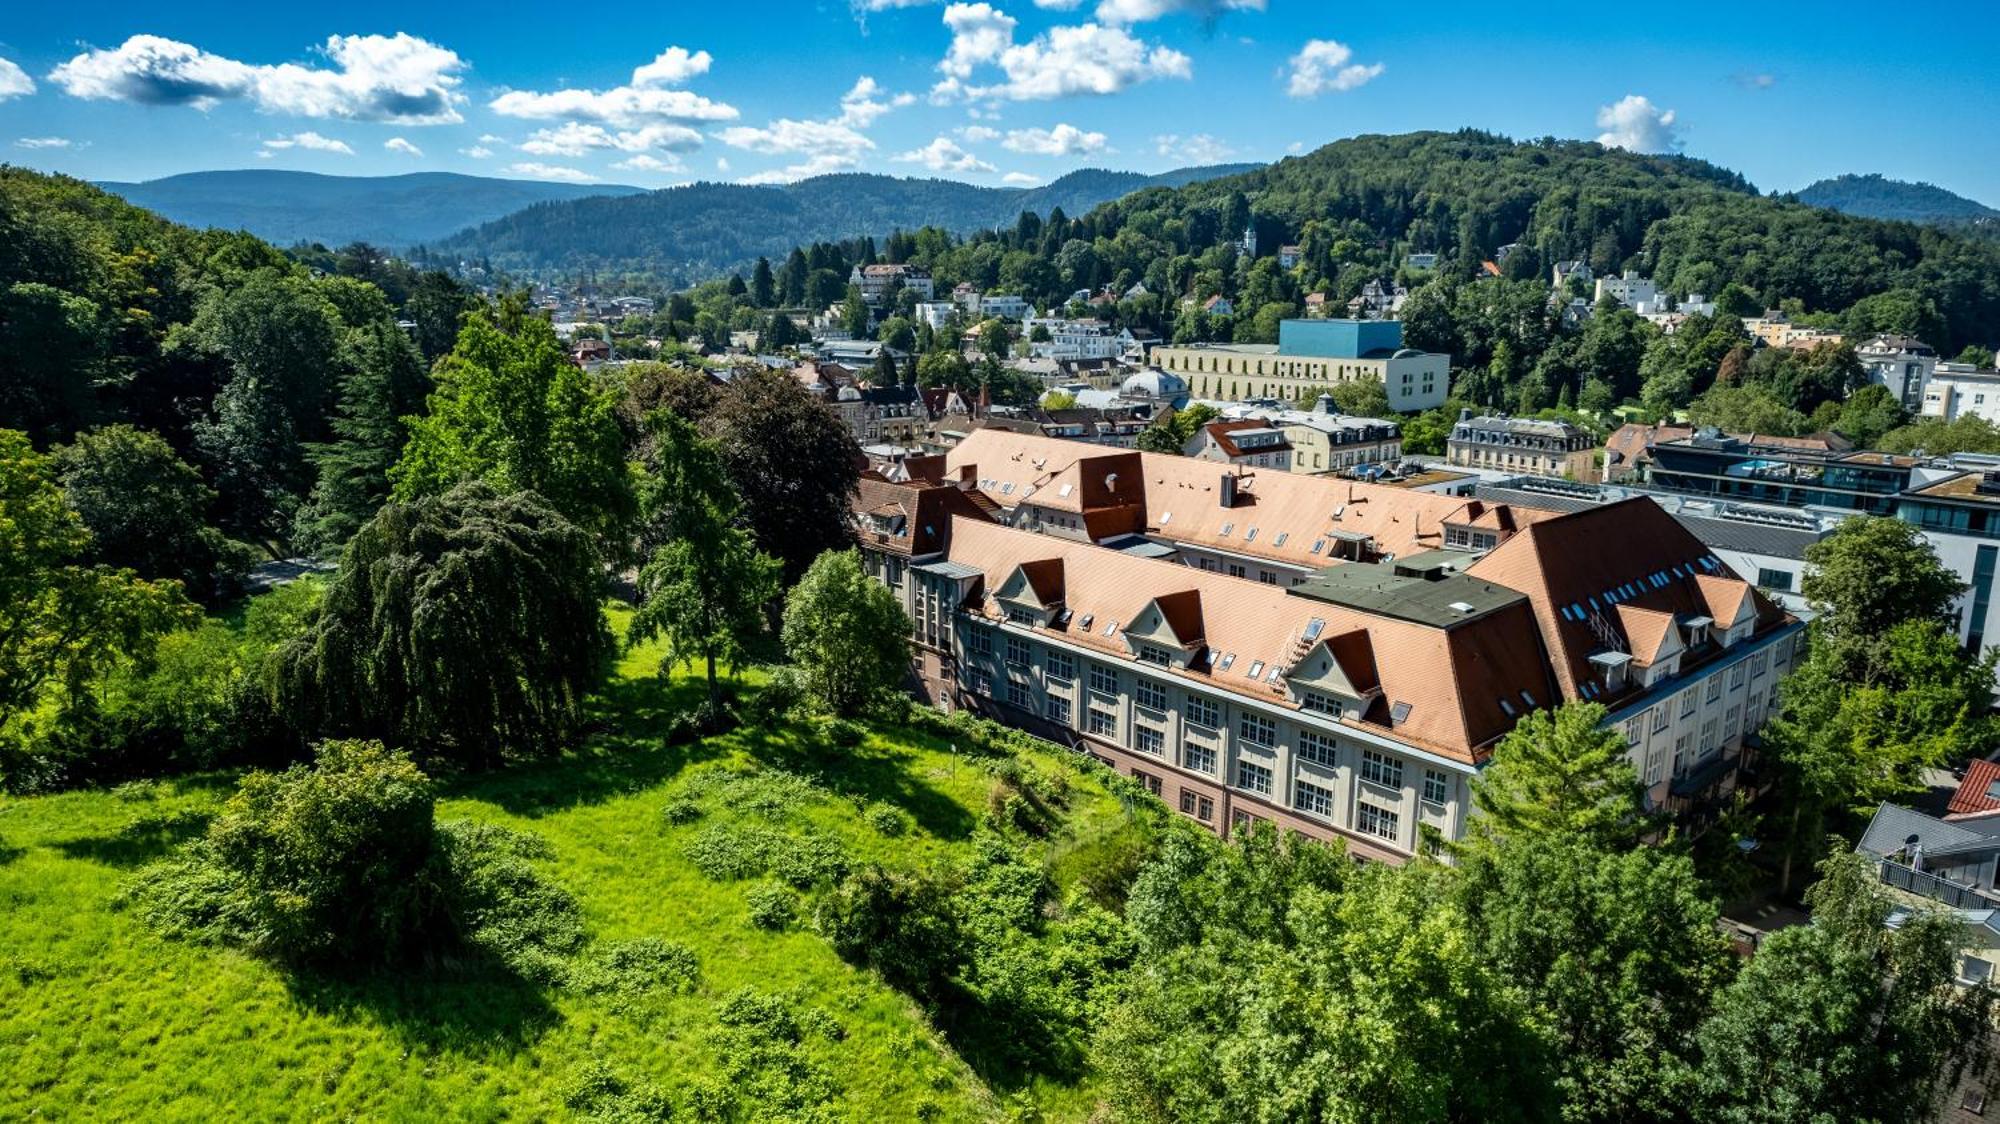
(703, 231)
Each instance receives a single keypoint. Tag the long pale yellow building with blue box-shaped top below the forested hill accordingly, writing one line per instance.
(1309, 357)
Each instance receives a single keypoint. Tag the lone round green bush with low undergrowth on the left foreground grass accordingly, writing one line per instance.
(341, 863)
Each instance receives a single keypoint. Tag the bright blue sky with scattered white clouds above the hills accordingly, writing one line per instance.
(995, 93)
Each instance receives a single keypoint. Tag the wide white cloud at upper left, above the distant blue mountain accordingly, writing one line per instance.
(389, 79)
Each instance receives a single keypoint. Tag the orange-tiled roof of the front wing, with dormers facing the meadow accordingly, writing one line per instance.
(1449, 679)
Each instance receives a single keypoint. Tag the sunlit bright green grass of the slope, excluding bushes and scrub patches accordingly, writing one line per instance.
(101, 1019)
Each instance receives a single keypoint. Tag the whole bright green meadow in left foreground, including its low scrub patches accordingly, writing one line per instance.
(105, 1019)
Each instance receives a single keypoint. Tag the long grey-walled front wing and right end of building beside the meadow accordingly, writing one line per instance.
(1363, 703)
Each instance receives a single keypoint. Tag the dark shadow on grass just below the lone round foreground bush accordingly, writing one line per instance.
(473, 1007)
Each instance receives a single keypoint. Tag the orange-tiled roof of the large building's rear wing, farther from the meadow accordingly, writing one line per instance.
(1179, 499)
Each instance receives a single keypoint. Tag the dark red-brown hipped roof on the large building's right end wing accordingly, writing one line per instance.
(1603, 559)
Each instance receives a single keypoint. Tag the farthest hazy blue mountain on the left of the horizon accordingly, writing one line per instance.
(305, 207)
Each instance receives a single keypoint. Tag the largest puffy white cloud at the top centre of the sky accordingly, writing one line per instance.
(1085, 59)
